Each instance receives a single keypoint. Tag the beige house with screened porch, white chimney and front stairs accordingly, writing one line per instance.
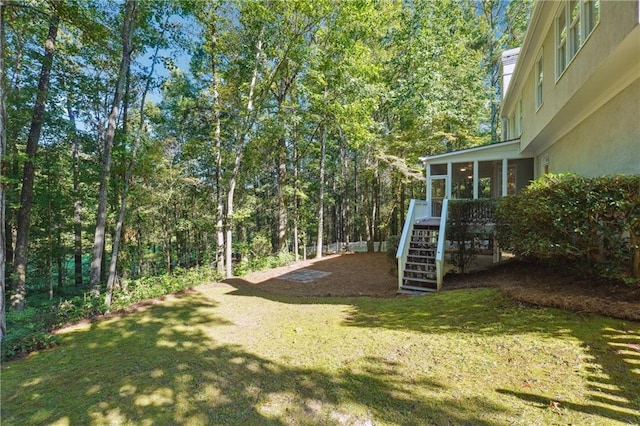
(571, 103)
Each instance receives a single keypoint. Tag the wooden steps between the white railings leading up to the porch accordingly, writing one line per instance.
(420, 268)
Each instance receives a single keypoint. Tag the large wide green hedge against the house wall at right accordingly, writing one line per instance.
(592, 223)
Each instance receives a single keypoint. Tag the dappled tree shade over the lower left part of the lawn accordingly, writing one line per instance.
(162, 366)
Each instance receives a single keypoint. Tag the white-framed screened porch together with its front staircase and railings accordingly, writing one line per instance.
(489, 171)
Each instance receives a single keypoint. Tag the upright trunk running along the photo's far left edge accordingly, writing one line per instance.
(3, 153)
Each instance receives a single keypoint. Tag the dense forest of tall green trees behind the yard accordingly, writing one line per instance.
(144, 136)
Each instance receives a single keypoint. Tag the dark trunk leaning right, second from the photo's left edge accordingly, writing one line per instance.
(18, 299)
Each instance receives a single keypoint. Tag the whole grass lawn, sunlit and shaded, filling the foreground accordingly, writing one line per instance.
(225, 356)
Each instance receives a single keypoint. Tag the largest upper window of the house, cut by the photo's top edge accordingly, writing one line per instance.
(576, 19)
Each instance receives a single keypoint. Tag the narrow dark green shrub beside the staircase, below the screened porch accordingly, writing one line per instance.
(467, 223)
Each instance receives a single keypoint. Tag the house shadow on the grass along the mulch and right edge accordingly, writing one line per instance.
(611, 346)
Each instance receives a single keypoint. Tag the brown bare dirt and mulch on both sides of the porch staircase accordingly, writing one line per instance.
(373, 274)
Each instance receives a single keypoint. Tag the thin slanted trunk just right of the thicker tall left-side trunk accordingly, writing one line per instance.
(127, 183)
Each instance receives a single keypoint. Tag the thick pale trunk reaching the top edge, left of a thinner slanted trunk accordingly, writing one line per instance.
(101, 220)
